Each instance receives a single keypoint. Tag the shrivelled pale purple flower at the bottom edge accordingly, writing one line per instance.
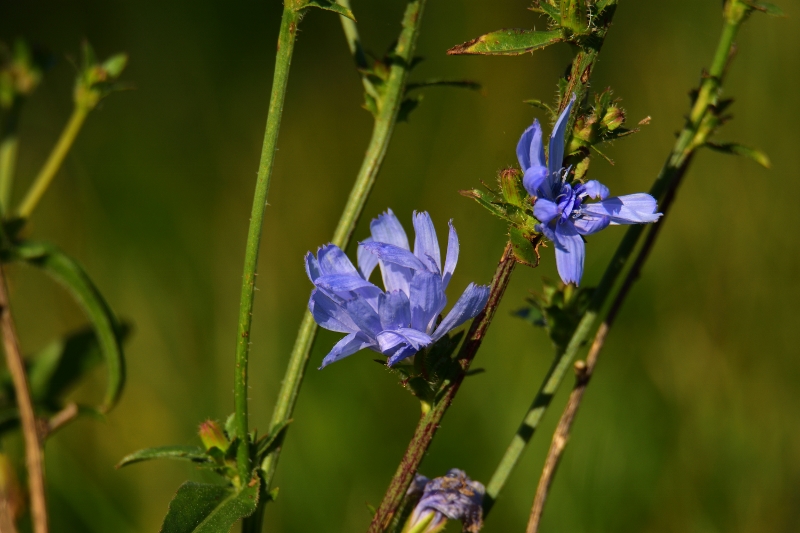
(454, 496)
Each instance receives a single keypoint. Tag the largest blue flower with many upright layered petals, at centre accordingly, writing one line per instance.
(402, 320)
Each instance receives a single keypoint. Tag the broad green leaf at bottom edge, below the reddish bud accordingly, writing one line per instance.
(205, 508)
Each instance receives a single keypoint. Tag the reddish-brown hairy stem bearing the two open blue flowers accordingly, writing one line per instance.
(578, 84)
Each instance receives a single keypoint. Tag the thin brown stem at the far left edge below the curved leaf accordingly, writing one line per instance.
(33, 445)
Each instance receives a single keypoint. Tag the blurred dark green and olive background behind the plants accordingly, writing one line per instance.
(692, 423)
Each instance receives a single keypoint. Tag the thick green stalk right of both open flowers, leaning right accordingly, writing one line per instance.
(690, 138)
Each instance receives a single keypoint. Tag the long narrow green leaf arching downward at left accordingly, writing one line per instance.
(71, 275)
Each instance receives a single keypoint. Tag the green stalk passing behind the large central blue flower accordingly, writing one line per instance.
(381, 135)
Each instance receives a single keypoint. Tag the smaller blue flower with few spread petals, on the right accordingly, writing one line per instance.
(560, 206)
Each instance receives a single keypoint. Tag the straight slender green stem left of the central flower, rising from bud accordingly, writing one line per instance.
(283, 59)
